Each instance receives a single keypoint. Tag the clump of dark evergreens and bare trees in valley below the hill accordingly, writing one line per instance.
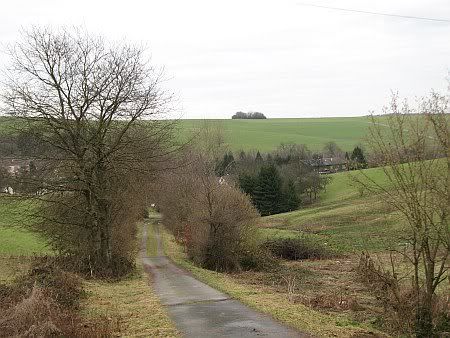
(279, 181)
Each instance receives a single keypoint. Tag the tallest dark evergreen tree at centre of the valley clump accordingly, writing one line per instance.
(268, 195)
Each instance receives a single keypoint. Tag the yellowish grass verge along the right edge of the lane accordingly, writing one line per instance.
(270, 300)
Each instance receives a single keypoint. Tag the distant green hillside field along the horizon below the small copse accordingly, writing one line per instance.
(266, 135)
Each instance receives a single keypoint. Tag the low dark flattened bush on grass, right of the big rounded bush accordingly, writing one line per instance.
(296, 248)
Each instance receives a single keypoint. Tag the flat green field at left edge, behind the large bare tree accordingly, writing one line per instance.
(15, 240)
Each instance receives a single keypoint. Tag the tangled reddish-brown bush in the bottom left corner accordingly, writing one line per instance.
(44, 303)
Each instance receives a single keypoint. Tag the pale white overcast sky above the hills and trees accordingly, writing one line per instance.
(278, 57)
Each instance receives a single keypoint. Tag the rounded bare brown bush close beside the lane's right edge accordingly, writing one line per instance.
(224, 237)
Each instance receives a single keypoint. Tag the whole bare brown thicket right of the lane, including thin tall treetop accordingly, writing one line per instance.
(212, 218)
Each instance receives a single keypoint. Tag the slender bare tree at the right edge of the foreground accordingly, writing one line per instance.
(412, 146)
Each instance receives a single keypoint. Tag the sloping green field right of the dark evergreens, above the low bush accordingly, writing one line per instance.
(347, 219)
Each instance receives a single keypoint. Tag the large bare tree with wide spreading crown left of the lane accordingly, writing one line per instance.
(95, 106)
